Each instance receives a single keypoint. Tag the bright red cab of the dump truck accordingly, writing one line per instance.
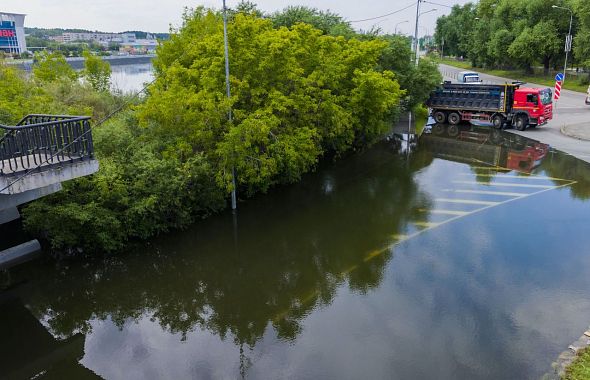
(532, 105)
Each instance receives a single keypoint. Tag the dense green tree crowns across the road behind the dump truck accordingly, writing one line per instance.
(512, 33)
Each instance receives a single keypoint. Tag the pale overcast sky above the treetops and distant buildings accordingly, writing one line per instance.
(156, 16)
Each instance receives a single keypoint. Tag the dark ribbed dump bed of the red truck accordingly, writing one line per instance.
(469, 97)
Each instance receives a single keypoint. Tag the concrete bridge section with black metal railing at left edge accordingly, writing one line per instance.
(36, 156)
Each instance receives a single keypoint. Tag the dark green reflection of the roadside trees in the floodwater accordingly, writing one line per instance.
(294, 248)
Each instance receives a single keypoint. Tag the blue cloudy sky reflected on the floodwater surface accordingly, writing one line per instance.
(478, 298)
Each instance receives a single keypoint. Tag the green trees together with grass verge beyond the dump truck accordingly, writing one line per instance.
(511, 38)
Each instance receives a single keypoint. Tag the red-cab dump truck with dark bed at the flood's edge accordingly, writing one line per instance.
(499, 104)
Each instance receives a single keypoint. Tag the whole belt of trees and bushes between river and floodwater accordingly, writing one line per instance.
(305, 87)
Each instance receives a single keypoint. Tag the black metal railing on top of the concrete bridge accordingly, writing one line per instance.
(39, 142)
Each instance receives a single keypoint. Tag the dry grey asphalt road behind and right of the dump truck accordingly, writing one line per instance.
(569, 110)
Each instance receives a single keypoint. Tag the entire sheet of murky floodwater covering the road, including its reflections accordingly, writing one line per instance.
(464, 254)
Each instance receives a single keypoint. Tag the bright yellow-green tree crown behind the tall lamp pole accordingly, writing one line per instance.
(296, 94)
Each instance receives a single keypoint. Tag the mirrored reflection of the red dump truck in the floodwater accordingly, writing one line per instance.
(472, 144)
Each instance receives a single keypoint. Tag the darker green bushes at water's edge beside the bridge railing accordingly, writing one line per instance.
(137, 193)
